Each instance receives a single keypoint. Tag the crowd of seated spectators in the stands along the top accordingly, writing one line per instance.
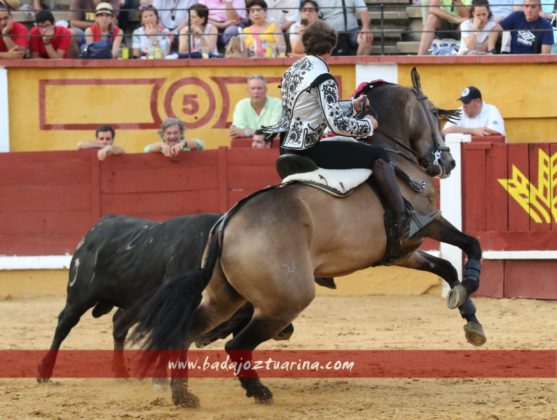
(263, 28)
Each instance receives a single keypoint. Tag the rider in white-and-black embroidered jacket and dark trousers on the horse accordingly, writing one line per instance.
(311, 103)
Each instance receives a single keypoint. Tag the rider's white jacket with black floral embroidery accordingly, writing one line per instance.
(310, 101)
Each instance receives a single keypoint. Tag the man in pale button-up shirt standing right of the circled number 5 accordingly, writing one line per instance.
(256, 111)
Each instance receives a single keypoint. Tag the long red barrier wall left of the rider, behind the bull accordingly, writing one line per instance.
(48, 200)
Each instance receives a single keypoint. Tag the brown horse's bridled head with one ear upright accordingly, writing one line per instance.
(409, 121)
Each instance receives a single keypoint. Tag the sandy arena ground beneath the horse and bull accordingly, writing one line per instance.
(368, 322)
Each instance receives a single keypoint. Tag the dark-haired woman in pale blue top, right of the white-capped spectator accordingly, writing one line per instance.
(151, 34)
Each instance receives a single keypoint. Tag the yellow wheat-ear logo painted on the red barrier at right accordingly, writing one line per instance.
(539, 202)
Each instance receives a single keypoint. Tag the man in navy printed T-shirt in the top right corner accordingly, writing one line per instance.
(530, 33)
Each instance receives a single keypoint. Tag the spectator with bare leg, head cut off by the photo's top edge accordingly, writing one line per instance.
(450, 12)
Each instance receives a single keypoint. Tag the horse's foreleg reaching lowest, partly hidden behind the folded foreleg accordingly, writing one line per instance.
(425, 262)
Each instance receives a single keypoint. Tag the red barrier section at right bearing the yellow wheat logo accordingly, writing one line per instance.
(501, 224)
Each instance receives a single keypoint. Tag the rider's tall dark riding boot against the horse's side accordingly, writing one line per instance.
(385, 179)
